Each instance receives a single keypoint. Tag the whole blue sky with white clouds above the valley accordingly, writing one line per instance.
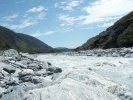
(62, 23)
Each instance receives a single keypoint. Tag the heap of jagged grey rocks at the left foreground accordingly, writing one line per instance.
(20, 72)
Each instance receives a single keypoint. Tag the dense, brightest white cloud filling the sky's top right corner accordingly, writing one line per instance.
(105, 10)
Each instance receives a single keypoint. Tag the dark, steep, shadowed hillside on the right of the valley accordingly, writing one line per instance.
(118, 35)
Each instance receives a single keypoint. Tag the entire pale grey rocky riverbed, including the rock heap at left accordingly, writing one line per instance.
(84, 75)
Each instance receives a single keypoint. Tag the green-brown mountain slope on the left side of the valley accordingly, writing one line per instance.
(21, 42)
